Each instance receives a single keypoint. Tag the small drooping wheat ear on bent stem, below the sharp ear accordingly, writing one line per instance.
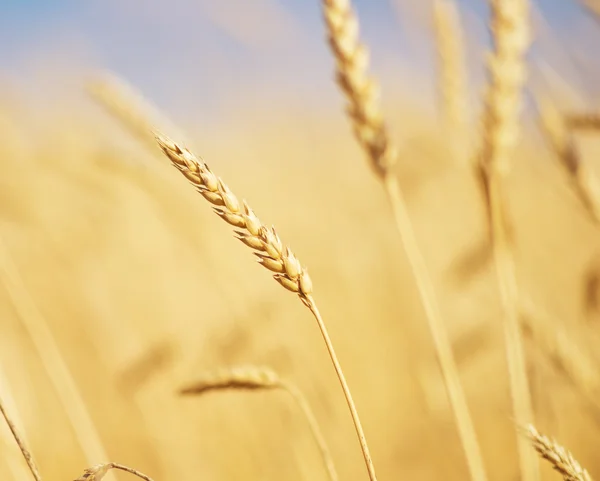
(261, 378)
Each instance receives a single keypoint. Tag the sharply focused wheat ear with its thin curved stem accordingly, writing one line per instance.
(268, 248)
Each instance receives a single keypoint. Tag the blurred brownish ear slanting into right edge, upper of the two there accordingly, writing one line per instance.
(559, 131)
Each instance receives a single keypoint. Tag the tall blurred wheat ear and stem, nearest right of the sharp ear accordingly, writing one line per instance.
(367, 121)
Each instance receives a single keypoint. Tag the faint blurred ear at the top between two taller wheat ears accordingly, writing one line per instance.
(452, 83)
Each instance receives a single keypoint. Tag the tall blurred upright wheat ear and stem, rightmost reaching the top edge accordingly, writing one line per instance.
(507, 75)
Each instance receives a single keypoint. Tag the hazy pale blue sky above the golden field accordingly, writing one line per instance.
(221, 49)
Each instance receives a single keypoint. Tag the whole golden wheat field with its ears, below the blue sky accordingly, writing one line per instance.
(120, 289)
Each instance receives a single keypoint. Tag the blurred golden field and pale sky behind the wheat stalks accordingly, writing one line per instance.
(111, 263)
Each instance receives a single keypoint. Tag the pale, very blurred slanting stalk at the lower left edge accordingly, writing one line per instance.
(65, 386)
